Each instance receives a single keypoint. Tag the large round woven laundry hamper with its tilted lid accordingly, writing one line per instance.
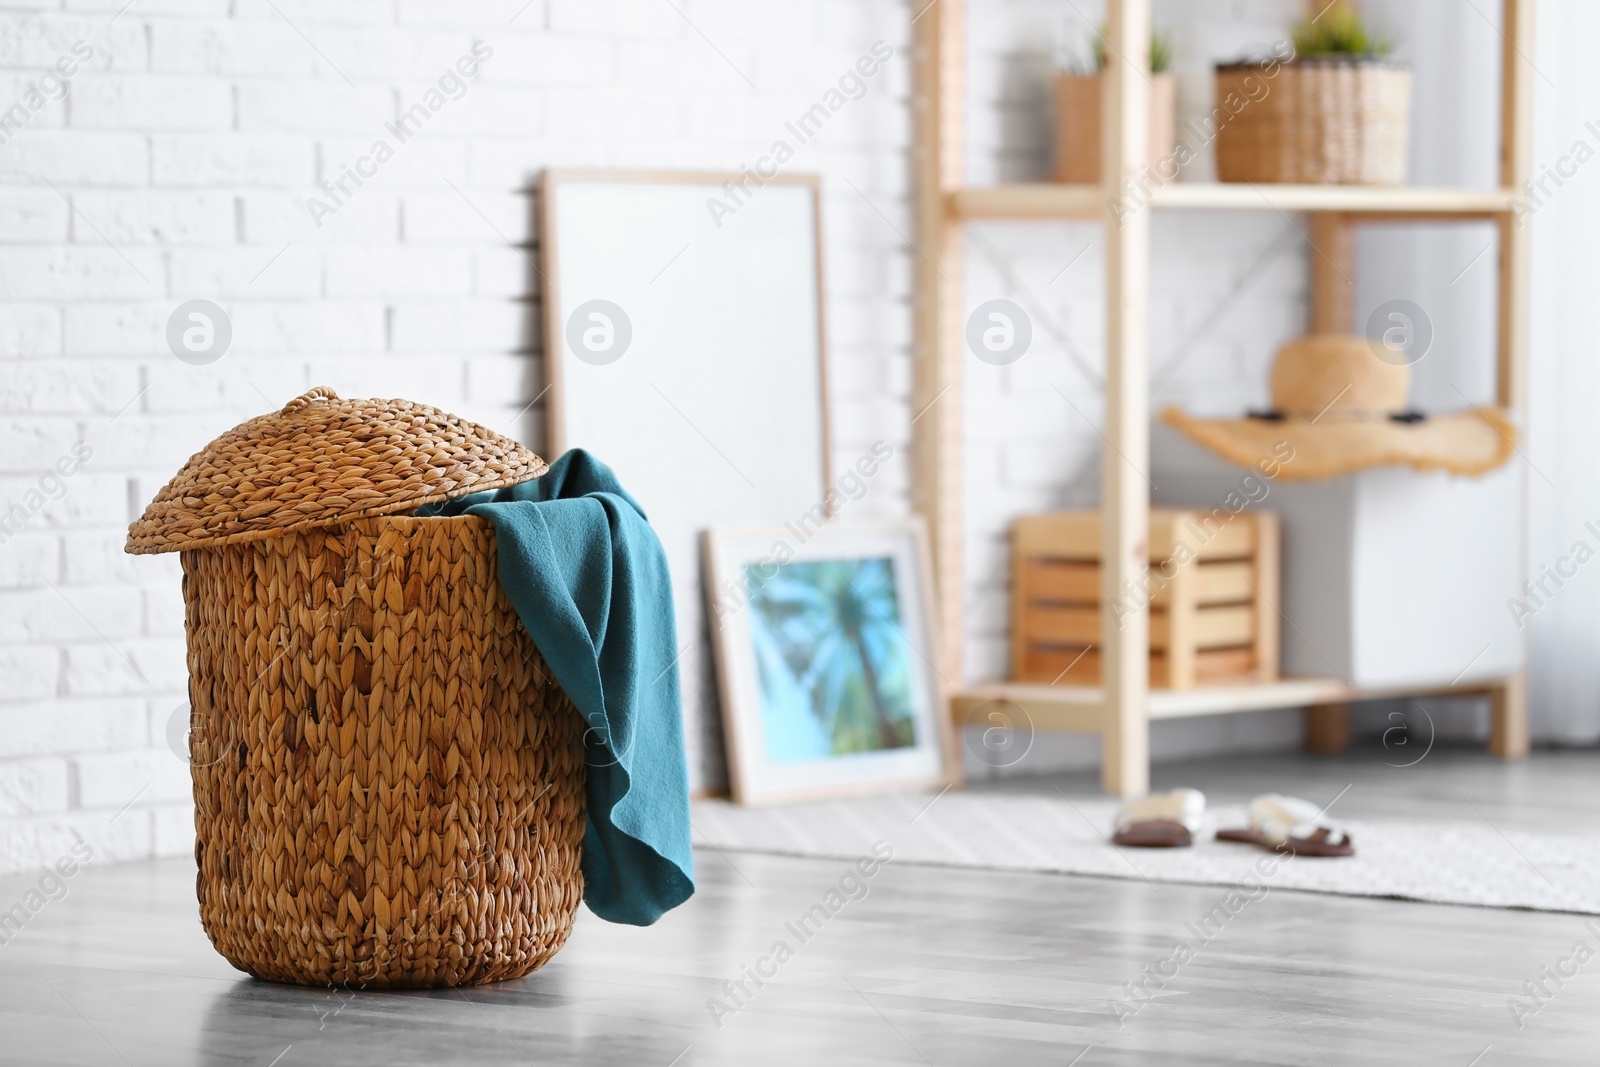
(390, 786)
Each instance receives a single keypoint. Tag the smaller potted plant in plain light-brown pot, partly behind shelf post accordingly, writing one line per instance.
(1081, 105)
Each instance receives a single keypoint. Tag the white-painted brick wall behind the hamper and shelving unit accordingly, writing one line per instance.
(180, 164)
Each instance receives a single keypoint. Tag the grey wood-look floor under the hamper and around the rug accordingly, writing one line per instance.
(932, 967)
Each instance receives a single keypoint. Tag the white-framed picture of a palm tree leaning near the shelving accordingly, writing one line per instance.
(826, 652)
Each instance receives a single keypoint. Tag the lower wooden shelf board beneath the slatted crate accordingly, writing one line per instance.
(1081, 709)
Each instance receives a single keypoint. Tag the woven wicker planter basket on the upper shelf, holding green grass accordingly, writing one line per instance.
(1314, 122)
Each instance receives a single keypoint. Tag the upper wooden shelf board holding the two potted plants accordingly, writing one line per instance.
(1050, 201)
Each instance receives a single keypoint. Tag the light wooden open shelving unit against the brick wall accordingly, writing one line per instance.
(1121, 709)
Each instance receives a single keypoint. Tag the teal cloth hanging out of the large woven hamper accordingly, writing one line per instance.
(590, 581)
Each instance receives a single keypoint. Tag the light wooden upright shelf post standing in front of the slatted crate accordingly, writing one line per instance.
(1126, 489)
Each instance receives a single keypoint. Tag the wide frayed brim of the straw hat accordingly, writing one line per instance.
(1465, 444)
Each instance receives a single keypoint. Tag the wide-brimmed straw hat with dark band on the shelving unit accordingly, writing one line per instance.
(1342, 409)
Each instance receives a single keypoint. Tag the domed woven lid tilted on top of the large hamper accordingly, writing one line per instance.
(322, 462)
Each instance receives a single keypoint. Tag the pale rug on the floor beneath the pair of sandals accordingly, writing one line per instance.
(1444, 863)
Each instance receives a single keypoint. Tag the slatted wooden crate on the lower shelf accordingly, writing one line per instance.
(1212, 594)
